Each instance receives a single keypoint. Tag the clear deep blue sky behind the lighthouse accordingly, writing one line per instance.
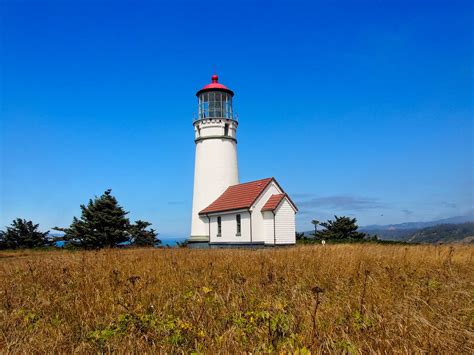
(359, 108)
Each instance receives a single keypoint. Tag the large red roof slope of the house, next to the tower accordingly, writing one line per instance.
(238, 196)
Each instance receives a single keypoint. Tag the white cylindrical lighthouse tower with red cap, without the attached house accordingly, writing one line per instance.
(215, 166)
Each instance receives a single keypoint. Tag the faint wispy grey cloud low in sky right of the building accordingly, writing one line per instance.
(341, 203)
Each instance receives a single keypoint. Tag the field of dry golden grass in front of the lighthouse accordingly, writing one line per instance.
(341, 298)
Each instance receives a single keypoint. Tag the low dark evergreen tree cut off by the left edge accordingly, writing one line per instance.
(24, 234)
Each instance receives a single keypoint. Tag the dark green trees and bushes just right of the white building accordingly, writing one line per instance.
(341, 229)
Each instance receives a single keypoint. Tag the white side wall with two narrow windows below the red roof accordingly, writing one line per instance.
(229, 228)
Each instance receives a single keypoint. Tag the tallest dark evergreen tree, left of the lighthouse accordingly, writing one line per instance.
(103, 223)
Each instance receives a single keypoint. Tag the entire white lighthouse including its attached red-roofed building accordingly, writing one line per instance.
(224, 211)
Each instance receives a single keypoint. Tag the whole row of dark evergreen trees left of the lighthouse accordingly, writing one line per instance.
(103, 223)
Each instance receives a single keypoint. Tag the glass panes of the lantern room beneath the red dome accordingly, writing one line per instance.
(215, 104)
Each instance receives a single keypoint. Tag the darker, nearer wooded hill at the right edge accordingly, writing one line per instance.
(444, 233)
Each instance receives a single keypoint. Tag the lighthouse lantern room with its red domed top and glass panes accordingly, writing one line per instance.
(215, 101)
